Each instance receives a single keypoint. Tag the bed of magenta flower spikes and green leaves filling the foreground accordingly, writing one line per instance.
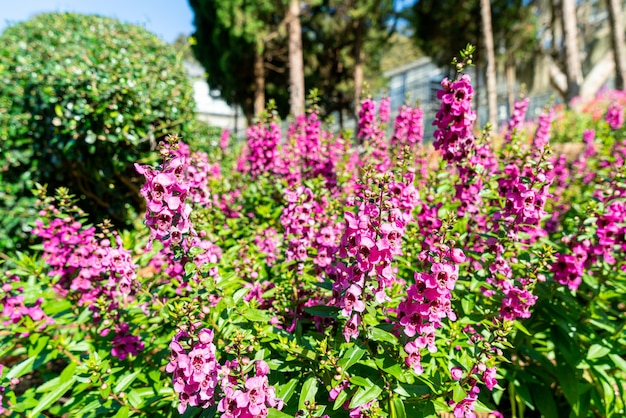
(307, 277)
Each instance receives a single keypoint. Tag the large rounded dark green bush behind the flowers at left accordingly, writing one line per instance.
(81, 99)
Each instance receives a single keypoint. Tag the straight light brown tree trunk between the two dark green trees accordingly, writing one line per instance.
(296, 62)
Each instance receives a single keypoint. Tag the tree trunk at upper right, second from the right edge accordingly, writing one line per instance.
(573, 68)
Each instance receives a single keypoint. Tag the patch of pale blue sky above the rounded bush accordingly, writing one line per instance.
(165, 18)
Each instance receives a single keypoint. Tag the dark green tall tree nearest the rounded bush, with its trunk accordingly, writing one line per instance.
(240, 45)
